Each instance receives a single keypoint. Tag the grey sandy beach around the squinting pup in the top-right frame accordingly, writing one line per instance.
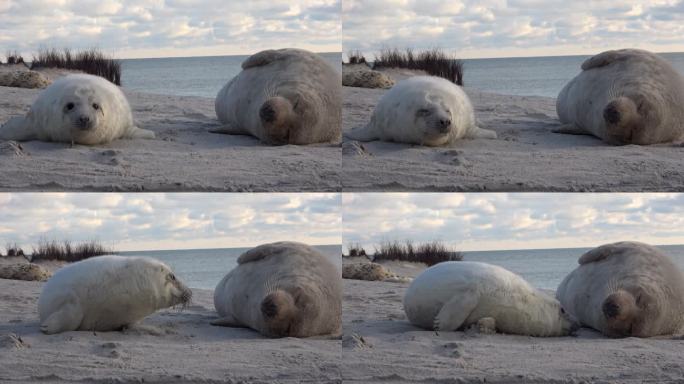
(527, 156)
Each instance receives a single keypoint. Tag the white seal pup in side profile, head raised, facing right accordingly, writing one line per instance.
(107, 293)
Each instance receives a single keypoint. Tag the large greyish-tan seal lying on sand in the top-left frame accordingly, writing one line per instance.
(285, 96)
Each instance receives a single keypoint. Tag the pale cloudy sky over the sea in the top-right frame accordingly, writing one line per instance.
(507, 28)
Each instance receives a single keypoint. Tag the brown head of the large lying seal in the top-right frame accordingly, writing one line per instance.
(626, 117)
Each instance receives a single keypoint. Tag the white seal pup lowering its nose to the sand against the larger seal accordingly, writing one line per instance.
(454, 295)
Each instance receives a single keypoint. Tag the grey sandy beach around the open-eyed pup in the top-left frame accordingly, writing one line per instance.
(183, 157)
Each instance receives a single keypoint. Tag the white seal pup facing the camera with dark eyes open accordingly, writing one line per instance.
(82, 109)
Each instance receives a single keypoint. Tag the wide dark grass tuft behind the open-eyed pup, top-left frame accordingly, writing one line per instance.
(90, 61)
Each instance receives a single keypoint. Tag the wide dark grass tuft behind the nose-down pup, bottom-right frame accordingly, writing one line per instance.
(430, 253)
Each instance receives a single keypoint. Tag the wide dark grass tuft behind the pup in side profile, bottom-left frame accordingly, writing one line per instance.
(65, 251)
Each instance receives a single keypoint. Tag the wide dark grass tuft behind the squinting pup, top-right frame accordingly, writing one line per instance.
(434, 61)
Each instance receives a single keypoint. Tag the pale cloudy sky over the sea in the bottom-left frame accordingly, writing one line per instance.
(170, 221)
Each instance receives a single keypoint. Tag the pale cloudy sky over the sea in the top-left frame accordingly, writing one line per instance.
(165, 28)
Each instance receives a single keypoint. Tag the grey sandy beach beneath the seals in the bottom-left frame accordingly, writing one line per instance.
(170, 346)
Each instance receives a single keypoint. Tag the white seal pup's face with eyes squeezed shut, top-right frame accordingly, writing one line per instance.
(435, 121)
